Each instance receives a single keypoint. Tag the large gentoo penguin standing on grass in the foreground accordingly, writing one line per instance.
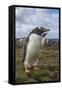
(32, 47)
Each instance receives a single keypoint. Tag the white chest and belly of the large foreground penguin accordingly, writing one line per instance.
(33, 49)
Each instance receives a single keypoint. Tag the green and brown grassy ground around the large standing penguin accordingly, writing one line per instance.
(48, 67)
